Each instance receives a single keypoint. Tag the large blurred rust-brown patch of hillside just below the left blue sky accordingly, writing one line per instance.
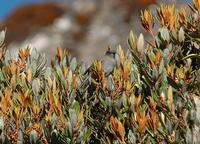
(27, 19)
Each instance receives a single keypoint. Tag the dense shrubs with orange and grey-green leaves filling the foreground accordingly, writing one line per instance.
(147, 98)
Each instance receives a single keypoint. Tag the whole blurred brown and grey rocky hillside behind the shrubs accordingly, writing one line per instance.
(85, 27)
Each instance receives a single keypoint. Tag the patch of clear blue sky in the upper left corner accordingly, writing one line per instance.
(6, 6)
